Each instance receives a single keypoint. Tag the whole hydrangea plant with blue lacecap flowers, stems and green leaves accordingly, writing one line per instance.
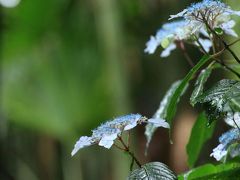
(201, 25)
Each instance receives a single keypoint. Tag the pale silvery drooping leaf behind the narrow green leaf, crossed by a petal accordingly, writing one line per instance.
(160, 113)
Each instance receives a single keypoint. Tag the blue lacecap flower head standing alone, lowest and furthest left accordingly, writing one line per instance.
(105, 134)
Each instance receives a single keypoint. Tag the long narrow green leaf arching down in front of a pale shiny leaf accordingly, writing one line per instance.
(181, 88)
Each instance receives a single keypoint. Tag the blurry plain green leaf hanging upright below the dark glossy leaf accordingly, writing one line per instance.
(199, 135)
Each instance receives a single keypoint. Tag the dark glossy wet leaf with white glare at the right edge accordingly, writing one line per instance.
(223, 97)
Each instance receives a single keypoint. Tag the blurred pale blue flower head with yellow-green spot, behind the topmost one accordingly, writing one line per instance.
(174, 32)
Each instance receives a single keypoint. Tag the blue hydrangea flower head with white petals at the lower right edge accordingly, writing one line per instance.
(226, 140)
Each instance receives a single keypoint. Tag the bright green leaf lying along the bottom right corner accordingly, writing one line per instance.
(227, 171)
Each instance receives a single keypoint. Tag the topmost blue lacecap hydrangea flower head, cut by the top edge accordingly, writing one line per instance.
(213, 12)
